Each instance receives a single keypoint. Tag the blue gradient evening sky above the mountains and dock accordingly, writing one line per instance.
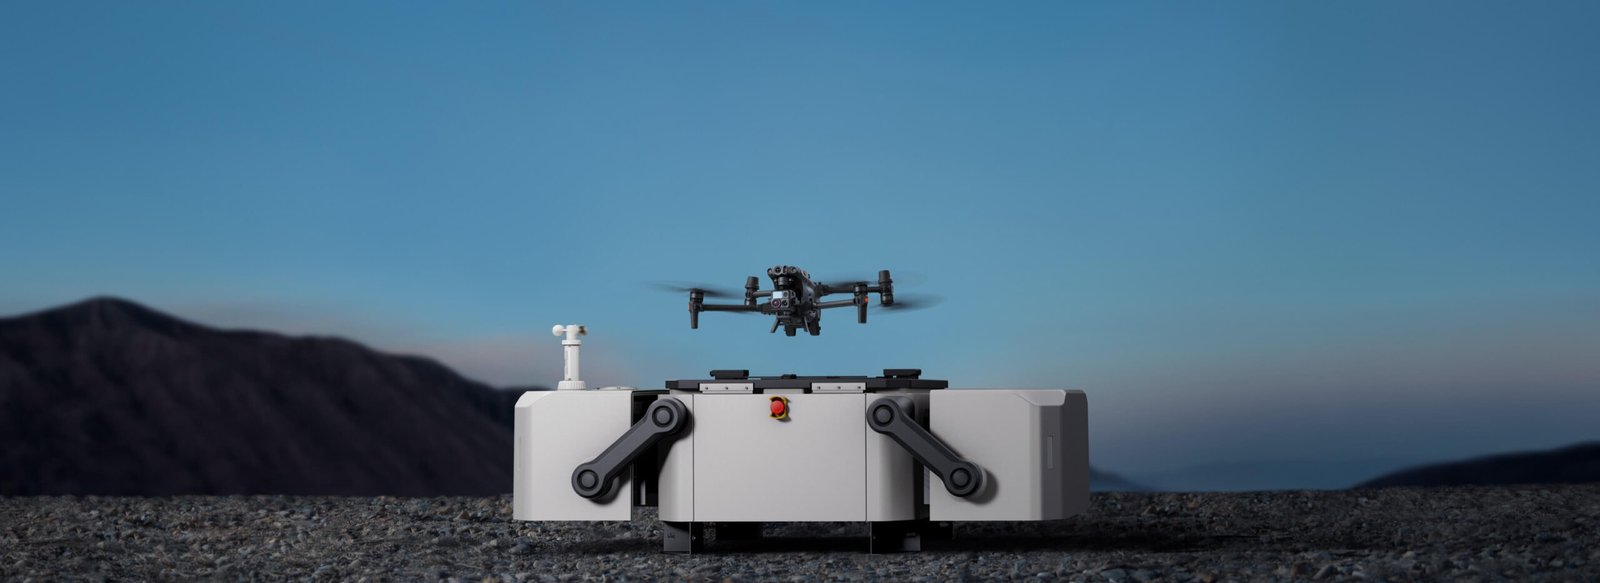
(1250, 231)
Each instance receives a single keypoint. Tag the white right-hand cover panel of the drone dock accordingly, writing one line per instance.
(1031, 443)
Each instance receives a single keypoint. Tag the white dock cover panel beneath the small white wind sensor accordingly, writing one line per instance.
(558, 432)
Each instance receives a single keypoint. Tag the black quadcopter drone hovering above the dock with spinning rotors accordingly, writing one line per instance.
(796, 302)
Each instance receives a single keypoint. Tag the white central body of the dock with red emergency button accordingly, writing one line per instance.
(823, 464)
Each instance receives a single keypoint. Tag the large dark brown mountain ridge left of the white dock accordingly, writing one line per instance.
(113, 398)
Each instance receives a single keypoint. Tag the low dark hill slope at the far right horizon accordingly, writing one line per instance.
(1569, 465)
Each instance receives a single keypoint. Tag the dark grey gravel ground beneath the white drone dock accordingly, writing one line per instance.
(1401, 534)
